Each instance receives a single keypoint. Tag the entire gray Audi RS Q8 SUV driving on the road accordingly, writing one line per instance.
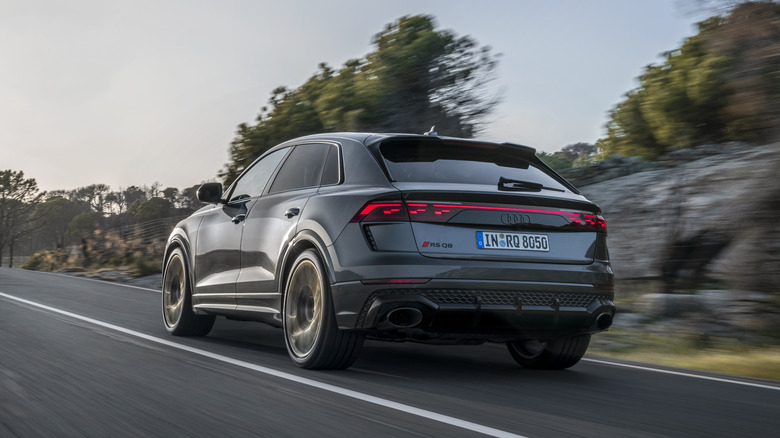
(340, 237)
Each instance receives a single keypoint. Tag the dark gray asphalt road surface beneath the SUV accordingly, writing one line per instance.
(82, 358)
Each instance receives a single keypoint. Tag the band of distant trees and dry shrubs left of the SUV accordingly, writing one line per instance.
(91, 226)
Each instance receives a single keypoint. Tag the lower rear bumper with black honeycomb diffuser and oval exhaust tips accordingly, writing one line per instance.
(472, 310)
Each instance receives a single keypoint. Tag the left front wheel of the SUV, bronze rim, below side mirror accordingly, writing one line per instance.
(178, 316)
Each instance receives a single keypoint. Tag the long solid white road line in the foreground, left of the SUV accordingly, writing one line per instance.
(452, 421)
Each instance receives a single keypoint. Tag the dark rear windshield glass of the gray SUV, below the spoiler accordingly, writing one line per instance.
(439, 162)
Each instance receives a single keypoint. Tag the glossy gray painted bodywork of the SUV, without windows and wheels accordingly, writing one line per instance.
(241, 252)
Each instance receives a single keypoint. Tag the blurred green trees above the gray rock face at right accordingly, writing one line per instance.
(721, 85)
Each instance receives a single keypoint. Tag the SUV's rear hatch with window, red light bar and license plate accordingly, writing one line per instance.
(485, 201)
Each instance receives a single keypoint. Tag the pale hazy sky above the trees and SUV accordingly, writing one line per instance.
(132, 92)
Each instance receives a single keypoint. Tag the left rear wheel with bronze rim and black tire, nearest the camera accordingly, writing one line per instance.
(311, 334)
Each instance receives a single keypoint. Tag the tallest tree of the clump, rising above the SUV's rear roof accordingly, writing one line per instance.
(426, 77)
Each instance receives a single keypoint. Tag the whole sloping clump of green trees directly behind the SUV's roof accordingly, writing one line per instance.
(415, 78)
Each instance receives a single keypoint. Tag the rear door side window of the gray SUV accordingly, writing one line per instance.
(302, 169)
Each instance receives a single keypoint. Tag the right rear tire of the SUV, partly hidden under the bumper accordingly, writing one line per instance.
(553, 354)
